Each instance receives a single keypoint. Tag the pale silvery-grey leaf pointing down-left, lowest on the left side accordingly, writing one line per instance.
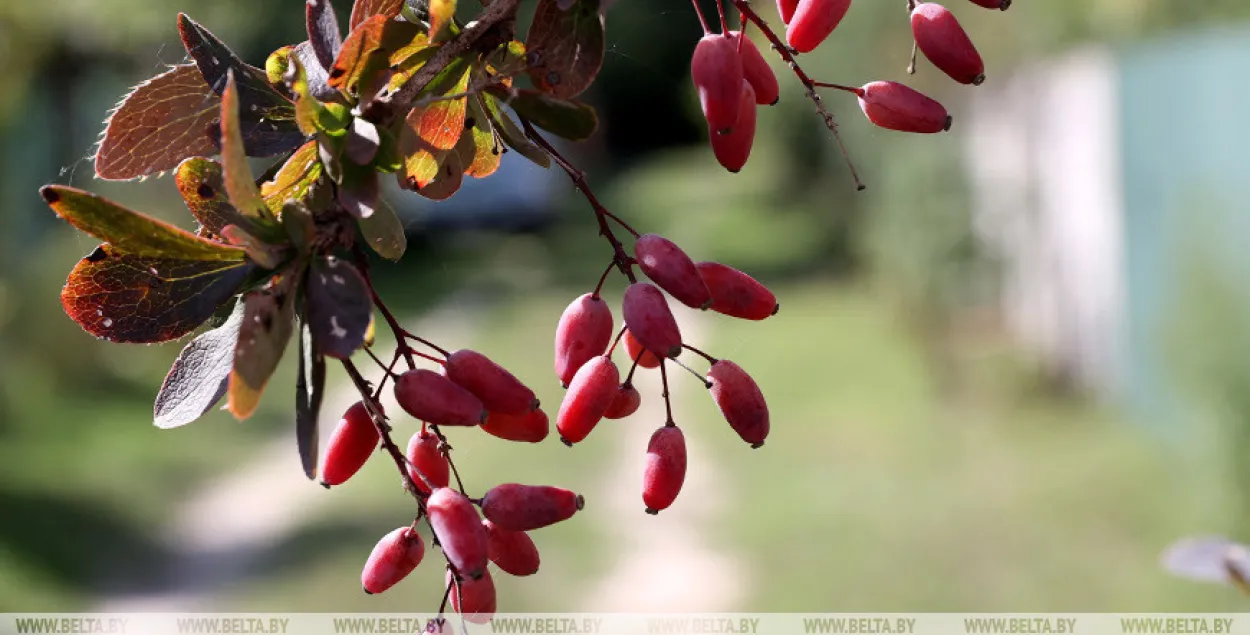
(199, 377)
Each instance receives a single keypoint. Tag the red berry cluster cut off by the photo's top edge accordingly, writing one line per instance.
(732, 77)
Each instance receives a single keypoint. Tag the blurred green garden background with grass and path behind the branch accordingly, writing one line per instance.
(922, 459)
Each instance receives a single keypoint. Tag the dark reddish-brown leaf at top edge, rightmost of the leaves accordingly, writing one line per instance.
(566, 49)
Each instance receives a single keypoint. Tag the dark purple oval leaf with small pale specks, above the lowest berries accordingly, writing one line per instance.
(339, 307)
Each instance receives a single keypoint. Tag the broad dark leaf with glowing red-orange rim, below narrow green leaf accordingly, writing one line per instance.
(134, 299)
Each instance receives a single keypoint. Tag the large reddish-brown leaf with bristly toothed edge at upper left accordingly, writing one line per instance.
(161, 123)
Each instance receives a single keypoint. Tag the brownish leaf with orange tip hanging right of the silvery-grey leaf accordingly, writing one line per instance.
(268, 322)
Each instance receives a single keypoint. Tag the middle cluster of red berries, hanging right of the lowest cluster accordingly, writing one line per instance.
(584, 347)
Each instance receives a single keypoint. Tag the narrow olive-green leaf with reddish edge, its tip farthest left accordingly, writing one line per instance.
(132, 233)
